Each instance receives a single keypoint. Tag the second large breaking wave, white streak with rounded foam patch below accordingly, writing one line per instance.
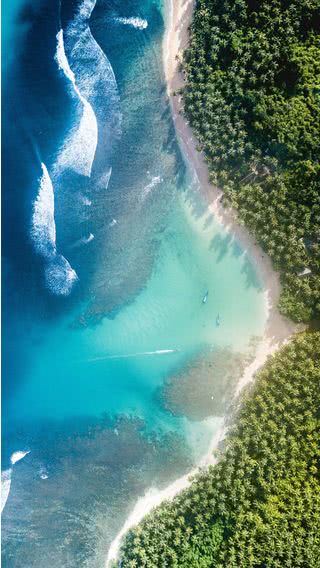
(59, 275)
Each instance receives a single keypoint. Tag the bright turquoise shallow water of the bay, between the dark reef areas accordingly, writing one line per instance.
(114, 367)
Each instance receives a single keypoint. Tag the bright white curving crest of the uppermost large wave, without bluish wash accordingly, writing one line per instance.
(79, 148)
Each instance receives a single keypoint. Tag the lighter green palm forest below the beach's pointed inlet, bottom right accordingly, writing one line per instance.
(260, 505)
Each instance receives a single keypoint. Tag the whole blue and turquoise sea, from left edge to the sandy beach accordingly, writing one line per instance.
(128, 312)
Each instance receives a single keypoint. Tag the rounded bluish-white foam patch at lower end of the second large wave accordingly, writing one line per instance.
(60, 276)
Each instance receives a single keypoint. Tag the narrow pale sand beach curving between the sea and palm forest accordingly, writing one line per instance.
(278, 328)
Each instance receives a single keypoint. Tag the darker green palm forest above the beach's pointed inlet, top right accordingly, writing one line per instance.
(252, 96)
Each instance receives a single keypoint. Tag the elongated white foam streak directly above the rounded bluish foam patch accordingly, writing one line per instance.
(43, 228)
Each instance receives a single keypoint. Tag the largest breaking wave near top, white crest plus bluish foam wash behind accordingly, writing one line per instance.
(88, 69)
